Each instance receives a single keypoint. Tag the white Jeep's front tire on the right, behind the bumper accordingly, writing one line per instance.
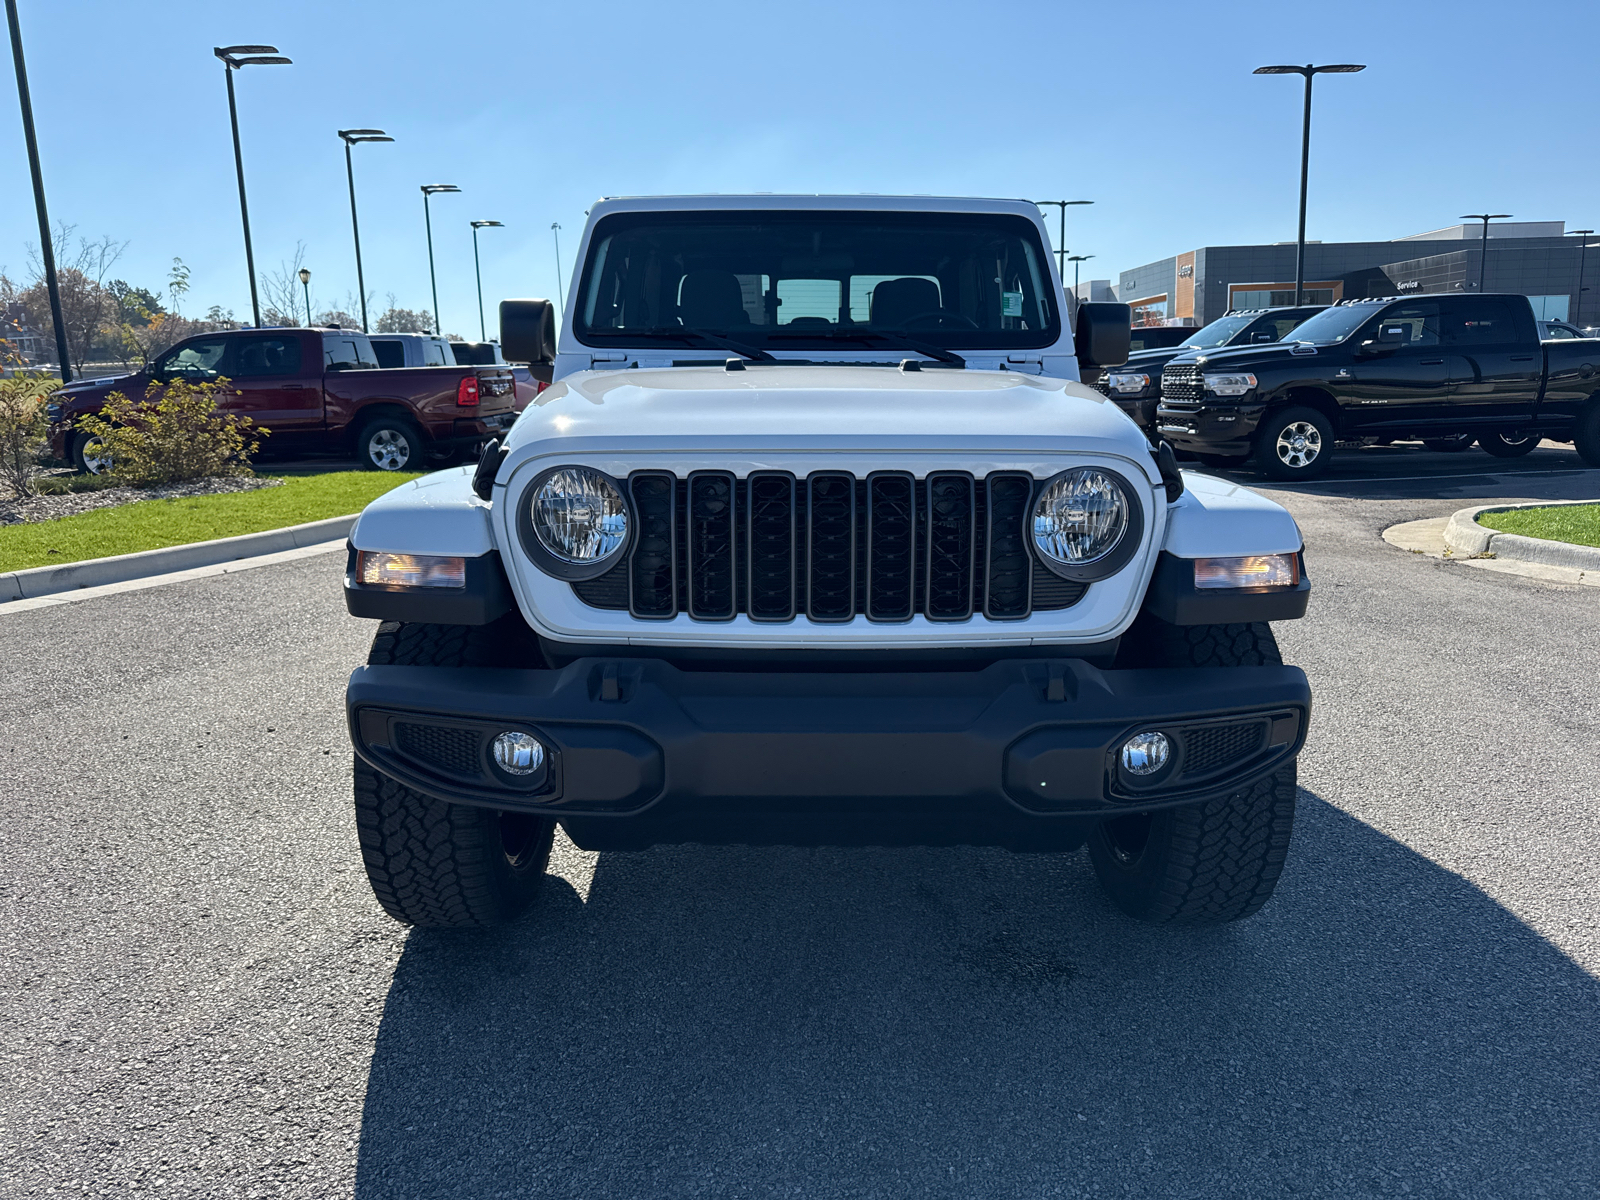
(1207, 863)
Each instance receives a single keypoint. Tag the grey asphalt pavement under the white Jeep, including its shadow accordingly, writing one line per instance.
(201, 999)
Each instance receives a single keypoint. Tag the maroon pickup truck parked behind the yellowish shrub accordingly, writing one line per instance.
(319, 391)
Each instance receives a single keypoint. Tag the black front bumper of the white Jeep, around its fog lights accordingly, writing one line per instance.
(1020, 753)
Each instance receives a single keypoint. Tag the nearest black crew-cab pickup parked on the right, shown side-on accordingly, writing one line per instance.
(1434, 367)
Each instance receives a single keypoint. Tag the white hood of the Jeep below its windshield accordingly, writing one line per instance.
(825, 409)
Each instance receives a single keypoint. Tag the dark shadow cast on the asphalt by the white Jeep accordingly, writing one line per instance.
(967, 1023)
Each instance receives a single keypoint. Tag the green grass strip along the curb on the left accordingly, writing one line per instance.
(150, 526)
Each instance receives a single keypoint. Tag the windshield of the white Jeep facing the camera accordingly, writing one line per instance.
(817, 281)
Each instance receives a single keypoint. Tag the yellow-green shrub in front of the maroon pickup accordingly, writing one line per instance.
(174, 436)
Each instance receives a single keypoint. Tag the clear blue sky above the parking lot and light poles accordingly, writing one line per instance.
(535, 110)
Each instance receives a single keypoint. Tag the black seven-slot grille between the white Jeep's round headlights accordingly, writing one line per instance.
(830, 548)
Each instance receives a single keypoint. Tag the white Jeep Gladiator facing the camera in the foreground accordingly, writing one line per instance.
(818, 540)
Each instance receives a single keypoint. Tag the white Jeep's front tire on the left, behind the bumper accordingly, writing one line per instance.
(433, 863)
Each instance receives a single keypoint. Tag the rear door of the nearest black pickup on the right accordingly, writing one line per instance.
(1495, 364)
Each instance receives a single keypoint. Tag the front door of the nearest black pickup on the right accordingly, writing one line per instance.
(1402, 378)
